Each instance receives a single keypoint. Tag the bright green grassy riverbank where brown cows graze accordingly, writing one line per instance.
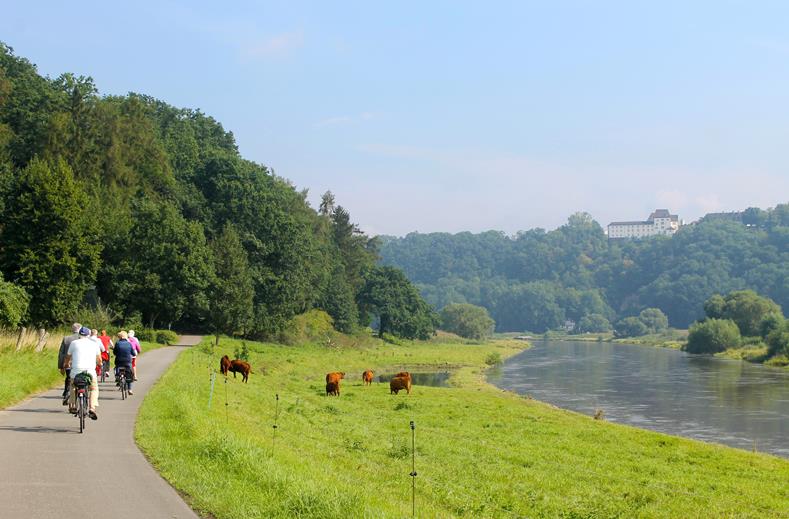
(481, 452)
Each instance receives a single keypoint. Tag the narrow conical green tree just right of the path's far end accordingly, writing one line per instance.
(232, 294)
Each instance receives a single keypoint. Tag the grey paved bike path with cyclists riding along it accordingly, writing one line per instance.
(50, 470)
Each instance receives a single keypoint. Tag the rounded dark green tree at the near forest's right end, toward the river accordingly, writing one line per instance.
(388, 295)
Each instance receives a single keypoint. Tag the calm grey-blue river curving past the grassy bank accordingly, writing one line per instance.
(731, 402)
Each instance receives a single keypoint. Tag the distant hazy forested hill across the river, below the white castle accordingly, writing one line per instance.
(536, 280)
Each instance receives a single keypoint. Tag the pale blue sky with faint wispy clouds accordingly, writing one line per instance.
(460, 116)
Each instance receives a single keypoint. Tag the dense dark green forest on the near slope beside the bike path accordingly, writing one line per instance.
(149, 212)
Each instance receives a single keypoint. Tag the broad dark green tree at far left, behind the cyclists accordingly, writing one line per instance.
(50, 245)
